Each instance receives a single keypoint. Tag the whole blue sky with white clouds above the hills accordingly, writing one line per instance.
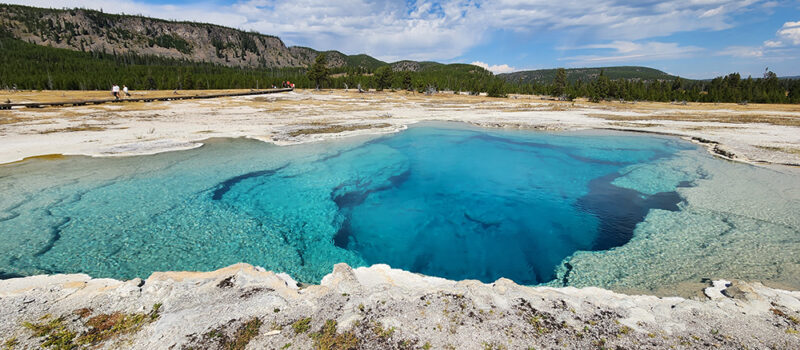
(690, 38)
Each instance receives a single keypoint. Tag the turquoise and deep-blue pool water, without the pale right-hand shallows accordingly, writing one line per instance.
(439, 199)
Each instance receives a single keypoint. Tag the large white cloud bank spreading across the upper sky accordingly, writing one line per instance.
(425, 30)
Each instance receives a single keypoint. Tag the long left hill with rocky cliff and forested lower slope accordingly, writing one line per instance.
(87, 50)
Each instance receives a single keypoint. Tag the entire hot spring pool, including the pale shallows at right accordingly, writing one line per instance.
(616, 210)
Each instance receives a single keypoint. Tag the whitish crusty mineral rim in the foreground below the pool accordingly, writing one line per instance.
(242, 306)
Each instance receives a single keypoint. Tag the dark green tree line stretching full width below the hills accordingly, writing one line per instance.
(25, 65)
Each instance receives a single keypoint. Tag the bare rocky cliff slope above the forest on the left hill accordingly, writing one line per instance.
(95, 31)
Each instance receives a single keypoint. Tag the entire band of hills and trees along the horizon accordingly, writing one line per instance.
(87, 50)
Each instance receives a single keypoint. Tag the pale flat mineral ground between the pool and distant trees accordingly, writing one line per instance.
(116, 131)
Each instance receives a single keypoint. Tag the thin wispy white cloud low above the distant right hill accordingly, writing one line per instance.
(624, 51)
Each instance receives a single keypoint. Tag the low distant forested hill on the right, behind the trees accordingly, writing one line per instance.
(547, 76)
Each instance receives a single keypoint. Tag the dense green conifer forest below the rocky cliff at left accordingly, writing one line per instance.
(28, 66)
